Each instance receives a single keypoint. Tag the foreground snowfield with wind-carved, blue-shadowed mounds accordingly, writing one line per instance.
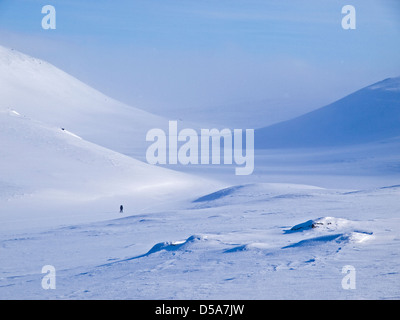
(270, 247)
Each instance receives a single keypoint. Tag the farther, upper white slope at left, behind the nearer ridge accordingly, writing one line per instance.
(43, 92)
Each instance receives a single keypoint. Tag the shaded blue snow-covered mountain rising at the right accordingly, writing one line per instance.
(368, 115)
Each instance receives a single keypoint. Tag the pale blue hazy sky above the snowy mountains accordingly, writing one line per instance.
(180, 57)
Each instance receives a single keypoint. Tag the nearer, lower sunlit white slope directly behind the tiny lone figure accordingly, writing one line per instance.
(50, 176)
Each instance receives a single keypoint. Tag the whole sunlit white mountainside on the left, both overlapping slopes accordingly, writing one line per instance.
(62, 146)
